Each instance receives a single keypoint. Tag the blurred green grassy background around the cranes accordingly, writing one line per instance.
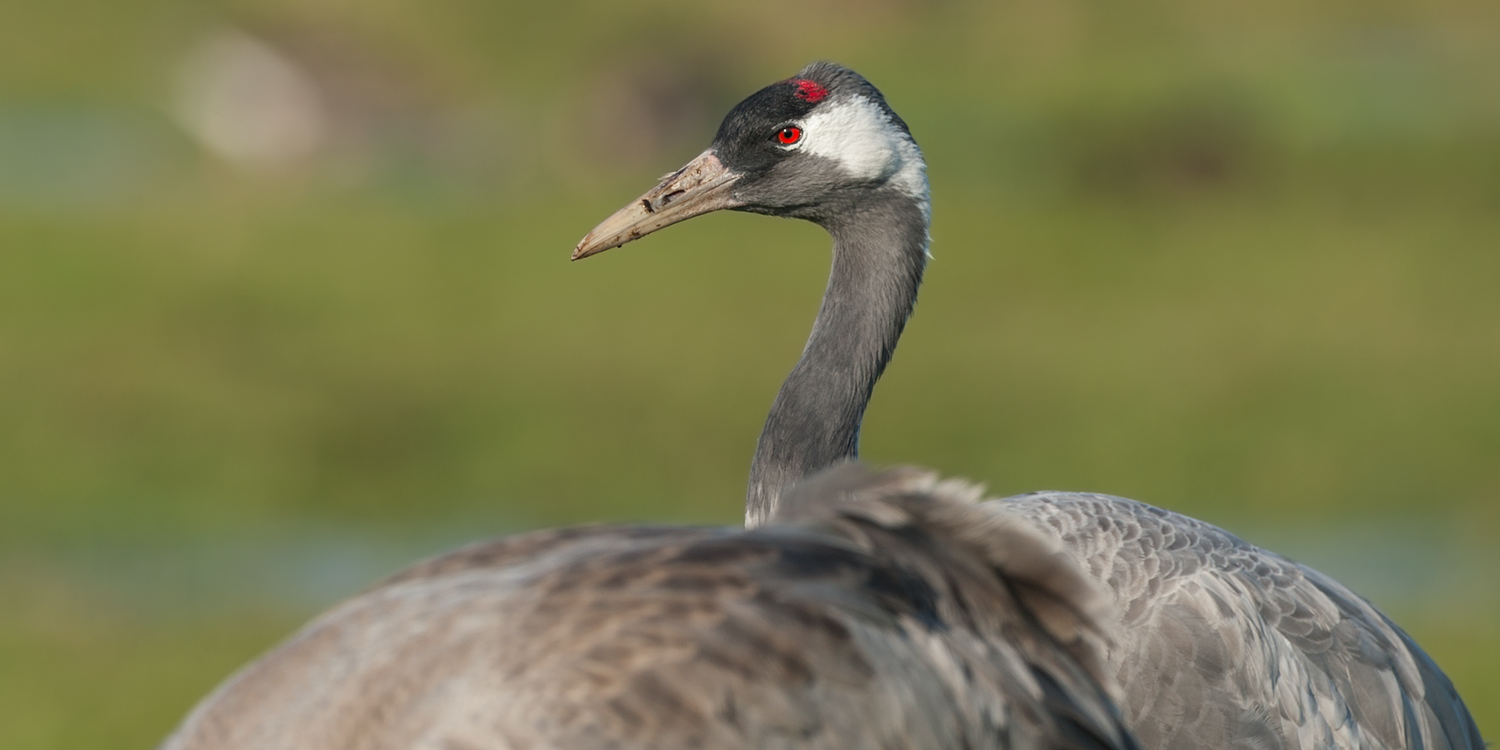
(286, 299)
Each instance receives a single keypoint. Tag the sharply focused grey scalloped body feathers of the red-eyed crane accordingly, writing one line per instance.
(1229, 646)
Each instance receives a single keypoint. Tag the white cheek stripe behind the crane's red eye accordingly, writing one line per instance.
(857, 136)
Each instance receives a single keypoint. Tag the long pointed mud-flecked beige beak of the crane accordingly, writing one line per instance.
(701, 187)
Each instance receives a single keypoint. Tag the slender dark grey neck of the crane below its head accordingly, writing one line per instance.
(880, 253)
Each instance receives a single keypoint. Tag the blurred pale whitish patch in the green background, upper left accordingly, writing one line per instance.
(250, 104)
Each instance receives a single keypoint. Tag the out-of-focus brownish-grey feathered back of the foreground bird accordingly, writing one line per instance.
(875, 611)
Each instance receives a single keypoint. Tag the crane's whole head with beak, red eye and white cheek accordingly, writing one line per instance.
(815, 148)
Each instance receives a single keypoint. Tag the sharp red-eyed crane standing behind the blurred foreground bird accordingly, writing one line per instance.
(1226, 644)
